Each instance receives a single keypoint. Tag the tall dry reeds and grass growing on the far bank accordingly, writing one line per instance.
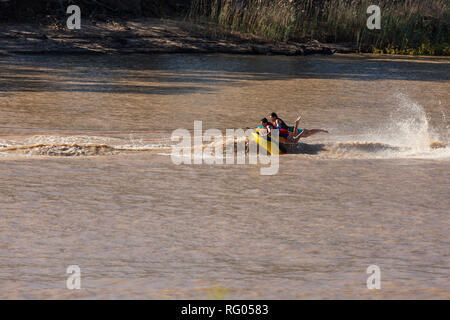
(408, 26)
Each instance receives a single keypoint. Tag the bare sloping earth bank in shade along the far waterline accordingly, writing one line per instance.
(148, 36)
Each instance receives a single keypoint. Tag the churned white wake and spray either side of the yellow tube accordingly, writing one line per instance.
(407, 133)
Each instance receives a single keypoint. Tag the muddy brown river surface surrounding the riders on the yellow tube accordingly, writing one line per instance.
(86, 178)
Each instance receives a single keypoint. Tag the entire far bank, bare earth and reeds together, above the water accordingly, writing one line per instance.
(272, 27)
